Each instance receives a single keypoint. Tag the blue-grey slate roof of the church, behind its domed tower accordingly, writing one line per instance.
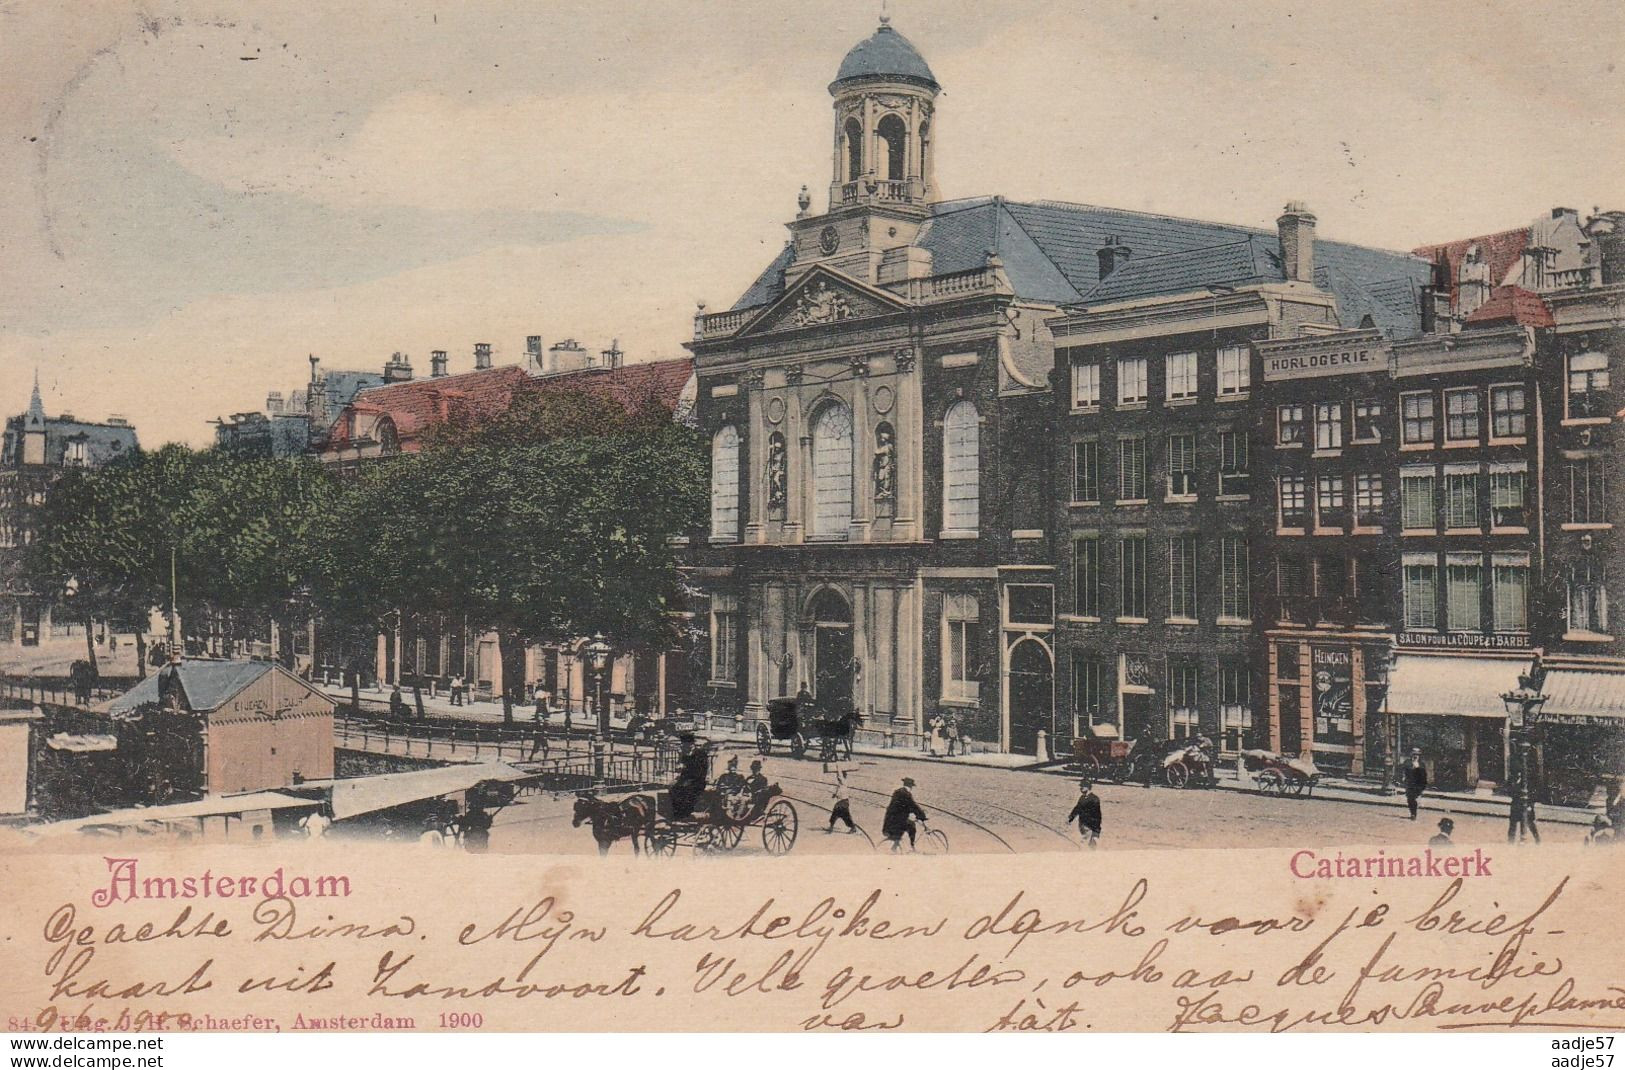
(1051, 254)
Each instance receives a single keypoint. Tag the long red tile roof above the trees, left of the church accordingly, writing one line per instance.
(422, 404)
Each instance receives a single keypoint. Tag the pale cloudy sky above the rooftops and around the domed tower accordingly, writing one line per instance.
(201, 194)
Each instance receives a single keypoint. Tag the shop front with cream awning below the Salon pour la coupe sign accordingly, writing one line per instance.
(1450, 708)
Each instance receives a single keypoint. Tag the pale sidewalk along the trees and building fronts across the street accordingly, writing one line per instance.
(1330, 788)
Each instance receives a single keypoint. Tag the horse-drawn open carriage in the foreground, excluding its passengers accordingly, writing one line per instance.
(717, 824)
